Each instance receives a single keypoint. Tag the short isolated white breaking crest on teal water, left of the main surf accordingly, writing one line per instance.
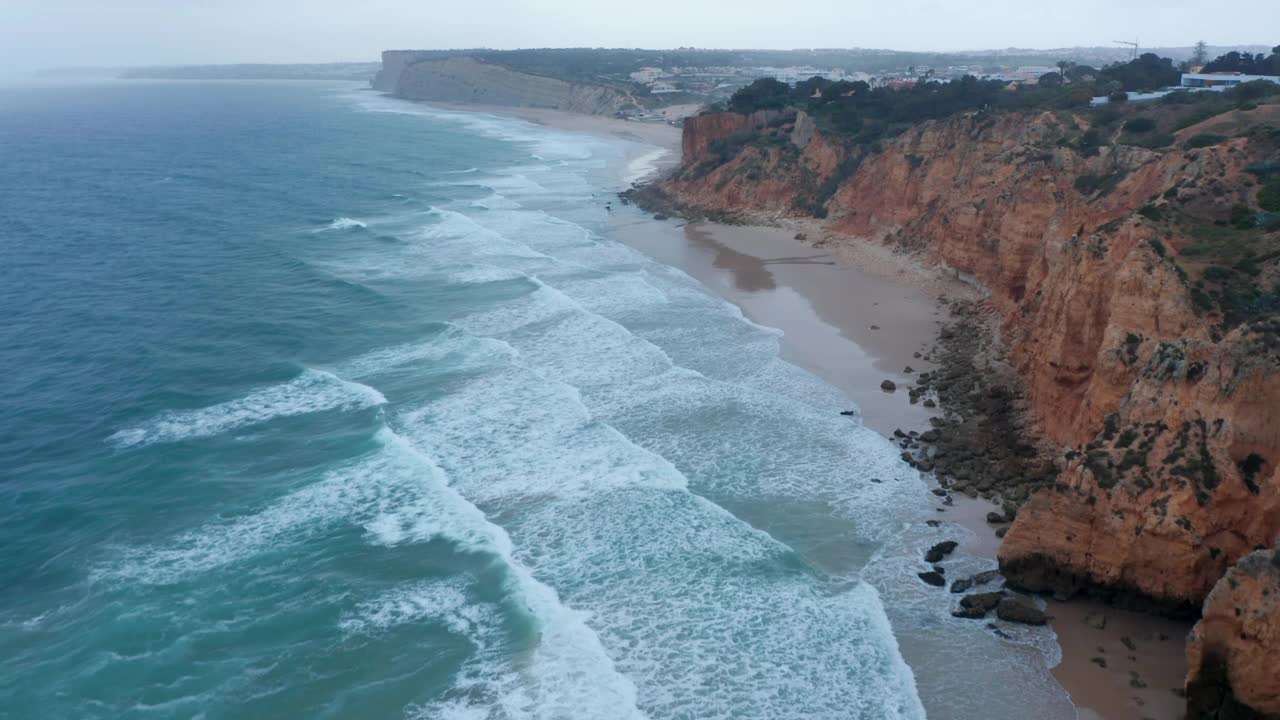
(313, 391)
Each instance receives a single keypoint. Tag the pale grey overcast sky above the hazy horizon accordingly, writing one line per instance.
(40, 34)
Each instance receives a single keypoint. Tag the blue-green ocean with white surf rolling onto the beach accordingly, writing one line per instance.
(319, 404)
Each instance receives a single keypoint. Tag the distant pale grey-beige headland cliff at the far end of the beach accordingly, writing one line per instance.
(467, 80)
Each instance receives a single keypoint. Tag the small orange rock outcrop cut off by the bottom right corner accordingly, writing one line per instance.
(1233, 650)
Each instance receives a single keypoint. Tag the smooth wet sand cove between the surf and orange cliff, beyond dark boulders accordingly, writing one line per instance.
(851, 327)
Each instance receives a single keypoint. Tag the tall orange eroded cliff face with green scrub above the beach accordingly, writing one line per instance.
(1172, 427)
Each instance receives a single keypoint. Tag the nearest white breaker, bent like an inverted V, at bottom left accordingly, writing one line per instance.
(401, 496)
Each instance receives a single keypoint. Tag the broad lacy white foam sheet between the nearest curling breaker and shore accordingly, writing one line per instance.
(666, 576)
